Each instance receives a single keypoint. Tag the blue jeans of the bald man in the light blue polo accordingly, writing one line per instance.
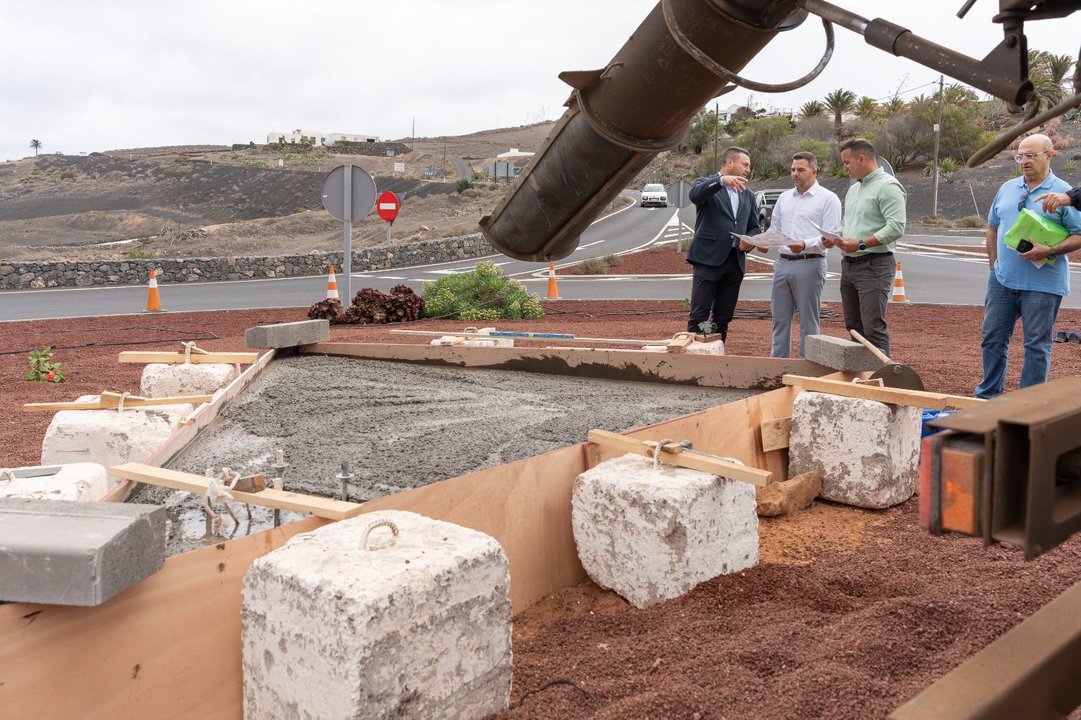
(1002, 310)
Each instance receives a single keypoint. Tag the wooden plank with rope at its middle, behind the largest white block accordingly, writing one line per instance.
(283, 500)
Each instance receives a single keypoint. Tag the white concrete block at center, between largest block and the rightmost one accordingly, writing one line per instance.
(652, 535)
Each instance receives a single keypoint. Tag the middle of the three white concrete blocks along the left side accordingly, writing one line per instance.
(110, 437)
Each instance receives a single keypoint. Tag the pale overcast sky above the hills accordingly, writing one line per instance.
(116, 74)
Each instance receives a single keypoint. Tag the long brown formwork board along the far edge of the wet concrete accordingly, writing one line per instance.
(683, 368)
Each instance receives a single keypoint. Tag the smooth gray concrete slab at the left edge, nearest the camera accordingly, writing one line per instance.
(77, 554)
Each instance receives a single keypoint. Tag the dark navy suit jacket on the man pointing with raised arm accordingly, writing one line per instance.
(715, 222)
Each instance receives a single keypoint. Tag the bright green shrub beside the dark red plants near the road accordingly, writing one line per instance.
(484, 295)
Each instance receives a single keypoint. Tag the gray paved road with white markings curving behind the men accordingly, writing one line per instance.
(937, 270)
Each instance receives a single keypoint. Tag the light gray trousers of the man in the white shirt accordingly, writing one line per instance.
(797, 288)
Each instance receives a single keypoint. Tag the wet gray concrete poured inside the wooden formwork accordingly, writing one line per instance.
(402, 426)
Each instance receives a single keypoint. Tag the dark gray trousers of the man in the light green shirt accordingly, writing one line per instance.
(866, 283)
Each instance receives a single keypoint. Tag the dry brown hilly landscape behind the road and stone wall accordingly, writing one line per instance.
(199, 202)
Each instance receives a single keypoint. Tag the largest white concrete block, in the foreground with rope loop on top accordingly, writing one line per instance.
(417, 628)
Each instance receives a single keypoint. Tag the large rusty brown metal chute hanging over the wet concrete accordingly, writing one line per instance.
(620, 117)
